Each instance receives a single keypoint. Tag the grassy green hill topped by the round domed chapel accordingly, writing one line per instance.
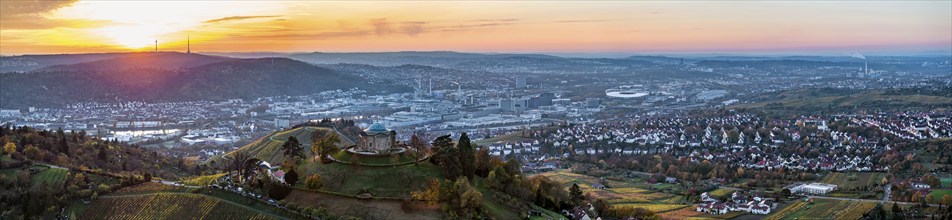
(398, 186)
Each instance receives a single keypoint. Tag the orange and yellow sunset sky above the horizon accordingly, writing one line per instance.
(32, 27)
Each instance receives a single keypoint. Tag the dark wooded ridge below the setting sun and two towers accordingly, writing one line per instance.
(173, 77)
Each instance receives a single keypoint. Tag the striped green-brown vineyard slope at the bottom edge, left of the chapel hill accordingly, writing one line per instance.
(167, 206)
